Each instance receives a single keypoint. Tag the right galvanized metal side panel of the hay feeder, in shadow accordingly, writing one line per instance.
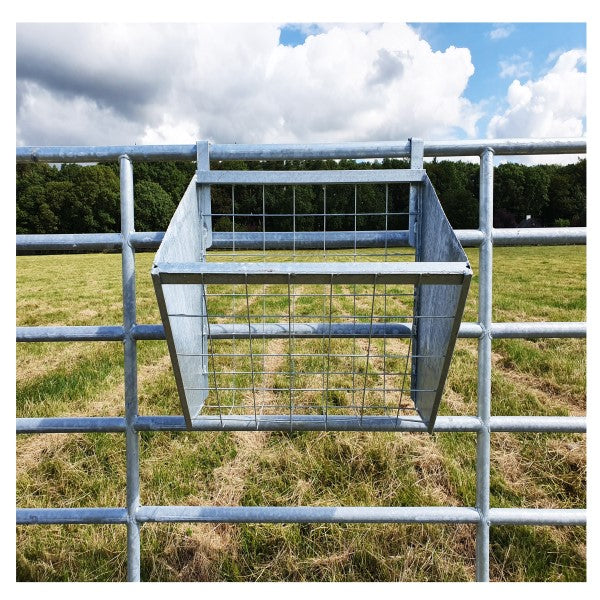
(438, 309)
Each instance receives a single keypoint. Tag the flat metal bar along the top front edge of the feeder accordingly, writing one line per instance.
(314, 273)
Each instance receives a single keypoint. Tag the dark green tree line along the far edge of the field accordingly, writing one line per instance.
(72, 198)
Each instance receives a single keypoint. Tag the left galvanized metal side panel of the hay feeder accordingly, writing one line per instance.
(187, 338)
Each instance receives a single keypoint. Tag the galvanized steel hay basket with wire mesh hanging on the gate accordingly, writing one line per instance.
(342, 329)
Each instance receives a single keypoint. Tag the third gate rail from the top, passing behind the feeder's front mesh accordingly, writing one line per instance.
(228, 331)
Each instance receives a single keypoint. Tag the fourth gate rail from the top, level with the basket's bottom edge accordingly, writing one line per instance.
(274, 423)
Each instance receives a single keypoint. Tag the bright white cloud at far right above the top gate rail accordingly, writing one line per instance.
(552, 106)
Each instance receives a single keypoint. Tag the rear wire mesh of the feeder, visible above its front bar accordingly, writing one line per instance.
(310, 223)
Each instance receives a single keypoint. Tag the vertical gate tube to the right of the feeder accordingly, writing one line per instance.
(484, 366)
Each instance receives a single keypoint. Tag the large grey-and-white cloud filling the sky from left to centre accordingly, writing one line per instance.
(160, 83)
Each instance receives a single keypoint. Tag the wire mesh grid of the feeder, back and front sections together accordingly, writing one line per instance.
(323, 375)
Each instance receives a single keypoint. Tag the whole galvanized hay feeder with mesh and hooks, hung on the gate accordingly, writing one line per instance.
(439, 278)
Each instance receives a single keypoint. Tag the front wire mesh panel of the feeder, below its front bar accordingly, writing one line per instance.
(309, 349)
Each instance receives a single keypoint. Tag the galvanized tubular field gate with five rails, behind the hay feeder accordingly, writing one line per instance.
(128, 241)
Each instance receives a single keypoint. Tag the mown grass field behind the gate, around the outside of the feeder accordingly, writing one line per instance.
(530, 377)
